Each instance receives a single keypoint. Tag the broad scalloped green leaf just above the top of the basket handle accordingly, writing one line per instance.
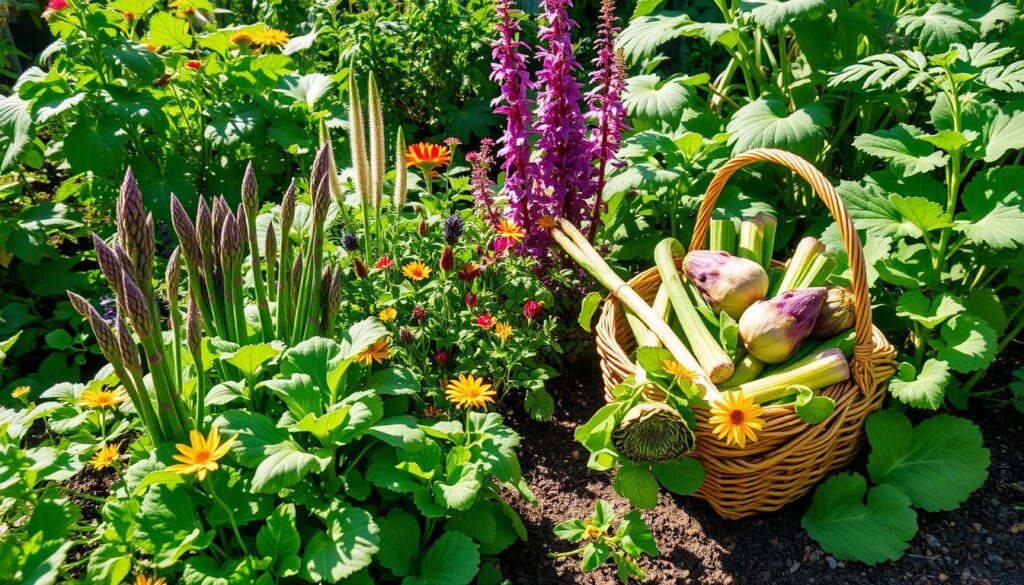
(769, 123)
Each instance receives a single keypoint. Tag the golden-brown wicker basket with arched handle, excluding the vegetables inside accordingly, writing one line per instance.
(791, 456)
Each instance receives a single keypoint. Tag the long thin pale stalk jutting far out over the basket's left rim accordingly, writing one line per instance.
(578, 247)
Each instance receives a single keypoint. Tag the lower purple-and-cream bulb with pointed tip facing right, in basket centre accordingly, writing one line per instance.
(772, 330)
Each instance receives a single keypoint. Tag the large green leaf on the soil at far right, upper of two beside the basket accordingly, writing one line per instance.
(937, 464)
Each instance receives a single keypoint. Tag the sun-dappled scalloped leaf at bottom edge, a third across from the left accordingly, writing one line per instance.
(349, 546)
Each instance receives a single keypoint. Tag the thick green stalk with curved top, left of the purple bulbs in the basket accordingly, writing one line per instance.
(711, 356)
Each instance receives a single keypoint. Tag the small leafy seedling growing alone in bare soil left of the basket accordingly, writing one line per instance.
(630, 540)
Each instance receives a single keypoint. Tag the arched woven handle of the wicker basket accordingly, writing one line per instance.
(861, 366)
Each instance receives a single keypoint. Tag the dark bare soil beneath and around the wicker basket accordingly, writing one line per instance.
(983, 542)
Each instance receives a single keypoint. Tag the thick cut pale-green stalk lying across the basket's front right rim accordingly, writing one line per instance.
(819, 371)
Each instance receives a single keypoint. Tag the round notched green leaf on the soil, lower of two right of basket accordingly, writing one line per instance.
(850, 530)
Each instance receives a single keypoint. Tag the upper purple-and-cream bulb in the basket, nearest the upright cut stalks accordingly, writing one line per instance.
(728, 283)
